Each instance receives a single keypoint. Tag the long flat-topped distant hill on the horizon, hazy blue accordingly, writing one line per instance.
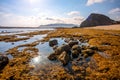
(57, 25)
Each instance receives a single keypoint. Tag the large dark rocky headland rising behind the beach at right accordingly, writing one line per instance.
(96, 20)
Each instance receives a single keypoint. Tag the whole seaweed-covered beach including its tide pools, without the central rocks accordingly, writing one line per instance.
(29, 61)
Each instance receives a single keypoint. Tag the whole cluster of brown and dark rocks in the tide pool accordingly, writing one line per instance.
(69, 51)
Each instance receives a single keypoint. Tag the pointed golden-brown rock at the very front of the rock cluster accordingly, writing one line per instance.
(64, 58)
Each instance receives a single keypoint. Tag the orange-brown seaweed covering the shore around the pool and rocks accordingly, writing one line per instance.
(107, 41)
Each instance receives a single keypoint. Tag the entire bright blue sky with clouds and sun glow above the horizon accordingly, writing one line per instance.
(32, 13)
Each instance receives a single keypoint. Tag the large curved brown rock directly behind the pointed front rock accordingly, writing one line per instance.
(62, 48)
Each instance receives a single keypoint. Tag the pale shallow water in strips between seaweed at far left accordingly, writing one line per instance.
(4, 46)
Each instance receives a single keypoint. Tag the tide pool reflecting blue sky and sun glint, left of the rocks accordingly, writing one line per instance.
(44, 51)
